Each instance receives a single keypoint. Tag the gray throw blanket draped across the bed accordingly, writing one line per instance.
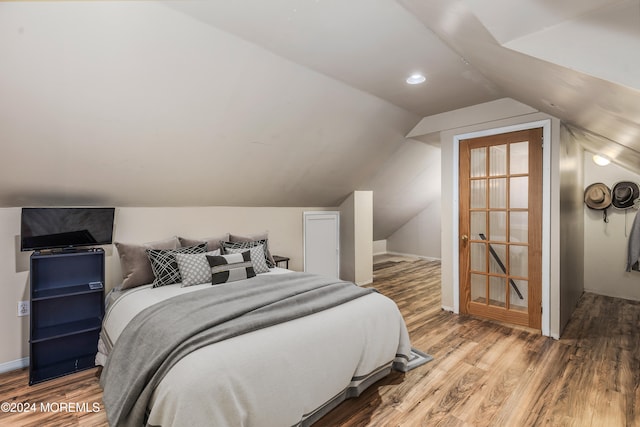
(159, 336)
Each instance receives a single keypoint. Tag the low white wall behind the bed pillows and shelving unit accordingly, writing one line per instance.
(137, 225)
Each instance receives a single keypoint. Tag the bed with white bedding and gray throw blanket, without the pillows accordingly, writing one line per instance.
(286, 361)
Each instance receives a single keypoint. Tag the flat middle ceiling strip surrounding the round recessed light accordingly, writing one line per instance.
(370, 45)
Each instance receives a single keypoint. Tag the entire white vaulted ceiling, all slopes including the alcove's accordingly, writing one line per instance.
(289, 102)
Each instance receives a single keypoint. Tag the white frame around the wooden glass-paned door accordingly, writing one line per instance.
(546, 212)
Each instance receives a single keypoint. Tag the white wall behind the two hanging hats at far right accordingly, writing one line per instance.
(605, 245)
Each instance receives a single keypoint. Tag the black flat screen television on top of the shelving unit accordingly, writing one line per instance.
(65, 228)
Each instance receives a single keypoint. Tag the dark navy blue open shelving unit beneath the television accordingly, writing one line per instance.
(67, 307)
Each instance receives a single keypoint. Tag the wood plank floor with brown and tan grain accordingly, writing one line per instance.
(483, 374)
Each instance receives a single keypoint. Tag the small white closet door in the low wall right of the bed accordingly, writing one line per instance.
(322, 243)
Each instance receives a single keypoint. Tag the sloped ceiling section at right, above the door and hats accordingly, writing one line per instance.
(576, 60)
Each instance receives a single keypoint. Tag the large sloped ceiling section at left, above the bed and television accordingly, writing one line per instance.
(136, 104)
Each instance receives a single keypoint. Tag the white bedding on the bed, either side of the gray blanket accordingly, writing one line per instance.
(275, 376)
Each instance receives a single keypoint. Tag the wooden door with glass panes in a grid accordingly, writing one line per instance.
(501, 227)
